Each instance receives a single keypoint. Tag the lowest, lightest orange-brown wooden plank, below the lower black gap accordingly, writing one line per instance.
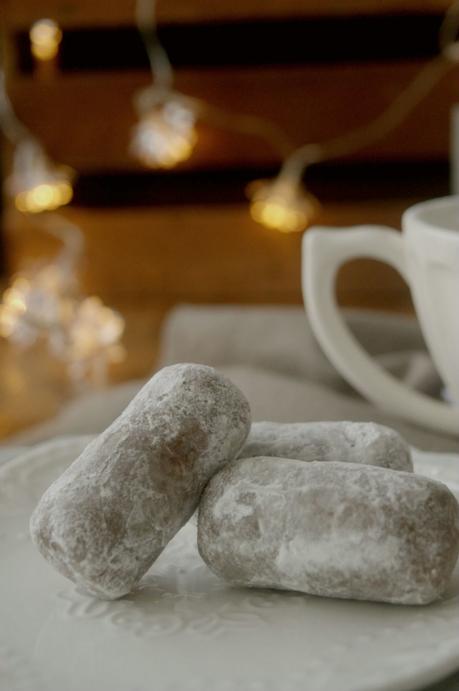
(209, 254)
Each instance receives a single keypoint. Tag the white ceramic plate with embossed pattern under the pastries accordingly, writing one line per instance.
(184, 630)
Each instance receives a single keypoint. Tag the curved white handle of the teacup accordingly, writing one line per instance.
(324, 251)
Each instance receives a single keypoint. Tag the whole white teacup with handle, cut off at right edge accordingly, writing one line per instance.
(427, 255)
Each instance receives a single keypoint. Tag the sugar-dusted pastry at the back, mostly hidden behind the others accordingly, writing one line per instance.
(350, 442)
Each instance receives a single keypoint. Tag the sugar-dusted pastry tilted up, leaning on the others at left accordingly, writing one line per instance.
(109, 516)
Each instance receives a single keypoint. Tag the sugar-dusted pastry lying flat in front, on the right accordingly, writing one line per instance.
(334, 529)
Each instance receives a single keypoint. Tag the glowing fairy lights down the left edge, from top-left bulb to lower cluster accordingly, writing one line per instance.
(44, 302)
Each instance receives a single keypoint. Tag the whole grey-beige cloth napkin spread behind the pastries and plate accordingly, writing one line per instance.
(271, 354)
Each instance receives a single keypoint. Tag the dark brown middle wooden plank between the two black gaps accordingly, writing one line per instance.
(85, 119)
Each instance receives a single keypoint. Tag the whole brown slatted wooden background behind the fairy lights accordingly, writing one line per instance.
(317, 69)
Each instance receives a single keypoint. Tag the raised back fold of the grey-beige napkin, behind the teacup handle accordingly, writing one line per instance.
(280, 339)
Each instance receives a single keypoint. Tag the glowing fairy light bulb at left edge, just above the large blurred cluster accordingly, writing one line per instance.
(36, 184)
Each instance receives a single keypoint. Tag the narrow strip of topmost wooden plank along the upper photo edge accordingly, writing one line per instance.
(77, 13)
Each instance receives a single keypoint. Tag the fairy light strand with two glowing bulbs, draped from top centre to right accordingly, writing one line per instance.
(166, 134)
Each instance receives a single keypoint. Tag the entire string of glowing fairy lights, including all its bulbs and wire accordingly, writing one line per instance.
(45, 302)
